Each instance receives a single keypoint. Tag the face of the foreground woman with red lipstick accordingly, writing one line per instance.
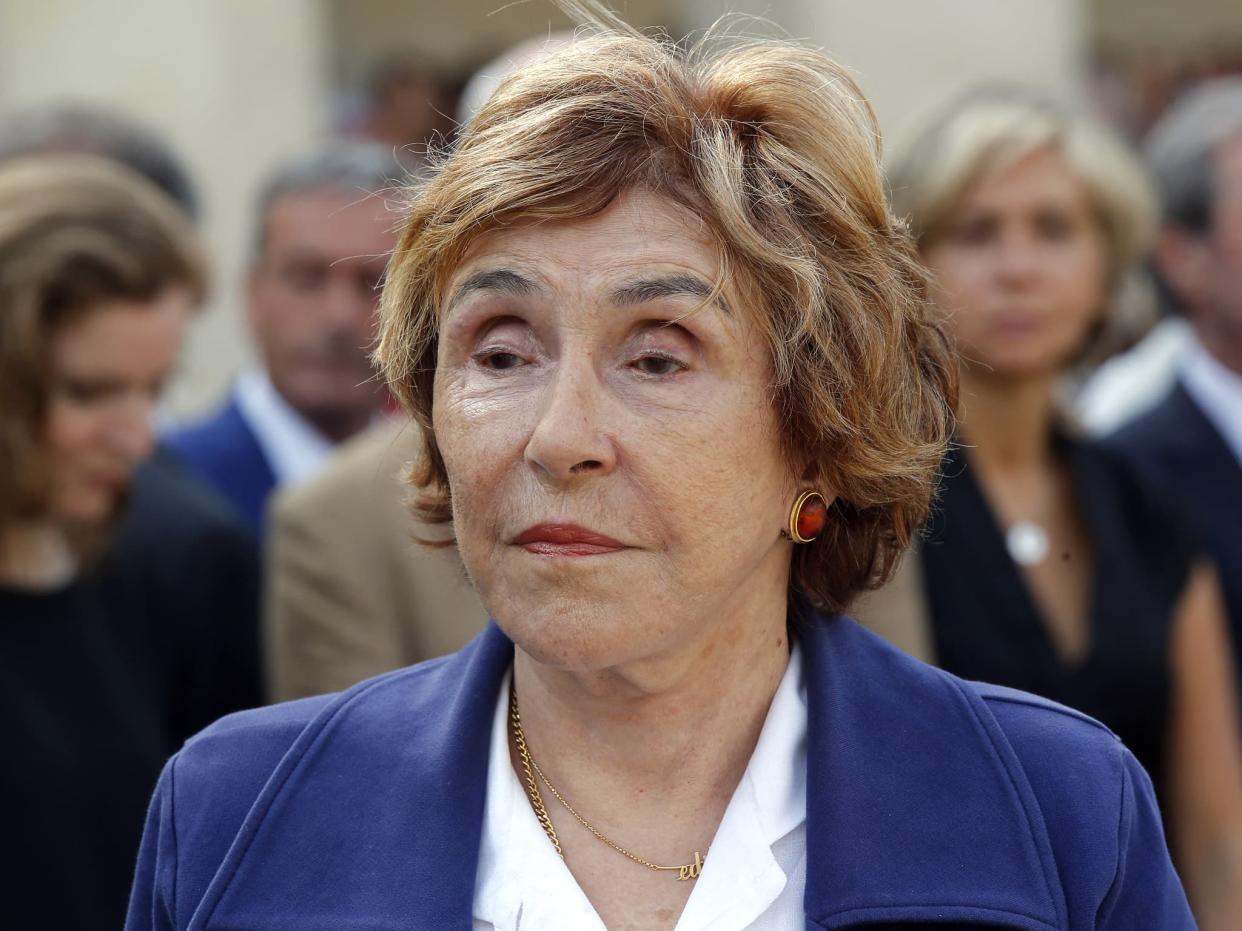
(613, 452)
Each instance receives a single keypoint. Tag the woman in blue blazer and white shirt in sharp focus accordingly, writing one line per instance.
(682, 398)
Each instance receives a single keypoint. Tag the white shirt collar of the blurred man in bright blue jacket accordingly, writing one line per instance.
(291, 445)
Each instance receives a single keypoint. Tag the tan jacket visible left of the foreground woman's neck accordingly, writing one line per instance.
(350, 593)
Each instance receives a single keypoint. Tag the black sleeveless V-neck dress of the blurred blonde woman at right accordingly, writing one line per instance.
(988, 626)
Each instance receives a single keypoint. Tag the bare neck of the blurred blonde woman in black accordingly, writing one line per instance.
(1007, 421)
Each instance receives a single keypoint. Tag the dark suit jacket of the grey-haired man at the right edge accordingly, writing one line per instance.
(1179, 451)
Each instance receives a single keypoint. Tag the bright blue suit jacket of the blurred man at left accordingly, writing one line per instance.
(223, 451)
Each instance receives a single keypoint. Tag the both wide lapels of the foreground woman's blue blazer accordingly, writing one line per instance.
(917, 807)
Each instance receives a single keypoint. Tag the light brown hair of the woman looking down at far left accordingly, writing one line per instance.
(75, 233)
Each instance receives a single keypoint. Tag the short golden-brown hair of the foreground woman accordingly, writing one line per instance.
(777, 151)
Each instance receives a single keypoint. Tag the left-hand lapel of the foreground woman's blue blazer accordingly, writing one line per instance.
(373, 819)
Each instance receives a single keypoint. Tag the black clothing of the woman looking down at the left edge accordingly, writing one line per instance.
(102, 681)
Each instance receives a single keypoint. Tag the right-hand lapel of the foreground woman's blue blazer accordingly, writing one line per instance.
(900, 830)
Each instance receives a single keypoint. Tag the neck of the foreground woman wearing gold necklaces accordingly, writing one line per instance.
(656, 748)
